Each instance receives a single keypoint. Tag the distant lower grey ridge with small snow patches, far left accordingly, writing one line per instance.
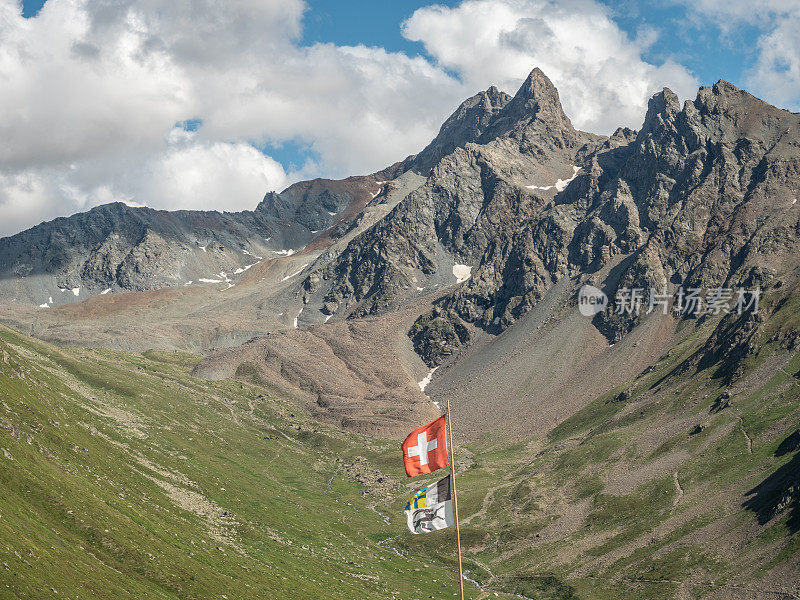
(119, 247)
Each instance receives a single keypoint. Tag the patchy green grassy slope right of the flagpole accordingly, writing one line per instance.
(674, 485)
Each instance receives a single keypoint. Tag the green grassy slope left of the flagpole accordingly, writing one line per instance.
(123, 477)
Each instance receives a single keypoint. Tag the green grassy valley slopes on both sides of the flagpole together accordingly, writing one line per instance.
(123, 475)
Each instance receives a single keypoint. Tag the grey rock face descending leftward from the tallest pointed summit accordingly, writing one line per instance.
(473, 202)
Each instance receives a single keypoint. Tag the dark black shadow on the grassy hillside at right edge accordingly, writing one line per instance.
(780, 492)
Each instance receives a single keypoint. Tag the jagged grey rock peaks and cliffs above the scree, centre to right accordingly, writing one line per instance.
(703, 196)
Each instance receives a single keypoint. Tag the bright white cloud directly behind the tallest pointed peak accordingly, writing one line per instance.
(599, 71)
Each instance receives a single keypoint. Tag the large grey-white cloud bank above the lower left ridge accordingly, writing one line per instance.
(97, 88)
